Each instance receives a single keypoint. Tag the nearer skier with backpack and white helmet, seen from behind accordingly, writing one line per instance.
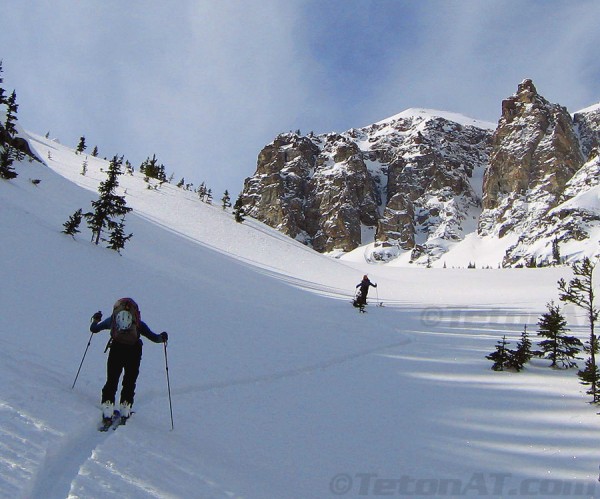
(125, 354)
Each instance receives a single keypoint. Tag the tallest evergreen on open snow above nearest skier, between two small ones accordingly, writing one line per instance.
(109, 205)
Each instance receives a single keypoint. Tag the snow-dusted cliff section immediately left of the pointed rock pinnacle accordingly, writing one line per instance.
(432, 197)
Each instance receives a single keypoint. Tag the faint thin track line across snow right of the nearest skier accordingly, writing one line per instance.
(290, 373)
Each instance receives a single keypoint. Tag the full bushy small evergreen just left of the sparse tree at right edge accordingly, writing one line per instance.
(558, 347)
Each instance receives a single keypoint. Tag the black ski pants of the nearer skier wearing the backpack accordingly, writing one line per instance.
(122, 358)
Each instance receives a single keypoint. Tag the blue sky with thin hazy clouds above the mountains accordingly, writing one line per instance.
(205, 85)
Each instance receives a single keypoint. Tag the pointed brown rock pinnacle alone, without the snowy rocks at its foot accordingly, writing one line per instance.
(534, 154)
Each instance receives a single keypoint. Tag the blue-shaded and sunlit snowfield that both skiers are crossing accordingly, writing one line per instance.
(280, 389)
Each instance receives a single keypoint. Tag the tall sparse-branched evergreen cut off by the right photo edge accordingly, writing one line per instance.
(580, 292)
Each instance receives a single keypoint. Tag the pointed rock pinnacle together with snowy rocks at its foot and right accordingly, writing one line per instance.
(536, 169)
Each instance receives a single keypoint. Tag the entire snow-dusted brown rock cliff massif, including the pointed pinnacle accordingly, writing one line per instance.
(415, 182)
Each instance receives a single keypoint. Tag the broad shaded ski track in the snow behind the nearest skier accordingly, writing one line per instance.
(61, 465)
